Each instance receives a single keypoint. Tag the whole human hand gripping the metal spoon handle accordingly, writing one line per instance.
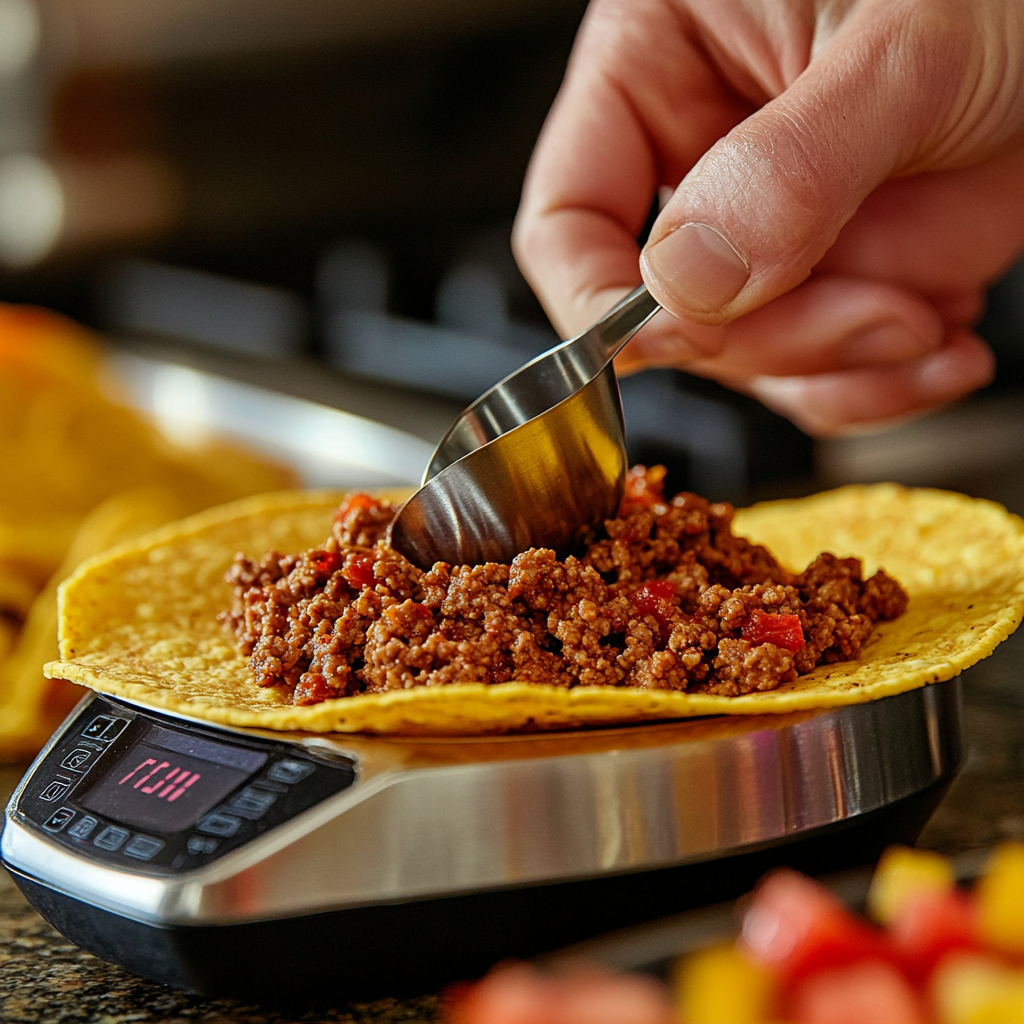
(844, 181)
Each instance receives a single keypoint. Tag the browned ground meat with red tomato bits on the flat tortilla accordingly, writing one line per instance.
(667, 599)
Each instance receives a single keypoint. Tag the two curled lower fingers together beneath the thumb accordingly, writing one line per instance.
(835, 355)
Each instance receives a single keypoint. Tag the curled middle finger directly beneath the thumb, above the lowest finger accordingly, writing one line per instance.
(825, 326)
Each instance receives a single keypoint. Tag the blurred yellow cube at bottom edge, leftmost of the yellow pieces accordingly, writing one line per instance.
(721, 987)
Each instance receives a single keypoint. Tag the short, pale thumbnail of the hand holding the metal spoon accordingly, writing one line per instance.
(698, 267)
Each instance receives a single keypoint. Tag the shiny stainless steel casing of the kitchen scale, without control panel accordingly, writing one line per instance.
(436, 818)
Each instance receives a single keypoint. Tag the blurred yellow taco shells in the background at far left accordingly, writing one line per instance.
(79, 473)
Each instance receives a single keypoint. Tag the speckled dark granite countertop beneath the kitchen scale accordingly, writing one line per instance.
(46, 980)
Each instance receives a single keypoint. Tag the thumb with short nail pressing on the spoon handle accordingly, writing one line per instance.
(767, 201)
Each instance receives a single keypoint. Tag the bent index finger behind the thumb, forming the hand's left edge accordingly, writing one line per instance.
(641, 103)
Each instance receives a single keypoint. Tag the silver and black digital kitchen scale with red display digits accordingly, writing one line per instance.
(245, 862)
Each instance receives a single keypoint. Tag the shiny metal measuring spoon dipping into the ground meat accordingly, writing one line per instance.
(538, 461)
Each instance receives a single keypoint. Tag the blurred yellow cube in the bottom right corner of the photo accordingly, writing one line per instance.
(975, 990)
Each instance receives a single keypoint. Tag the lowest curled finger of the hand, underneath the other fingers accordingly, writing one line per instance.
(841, 403)
